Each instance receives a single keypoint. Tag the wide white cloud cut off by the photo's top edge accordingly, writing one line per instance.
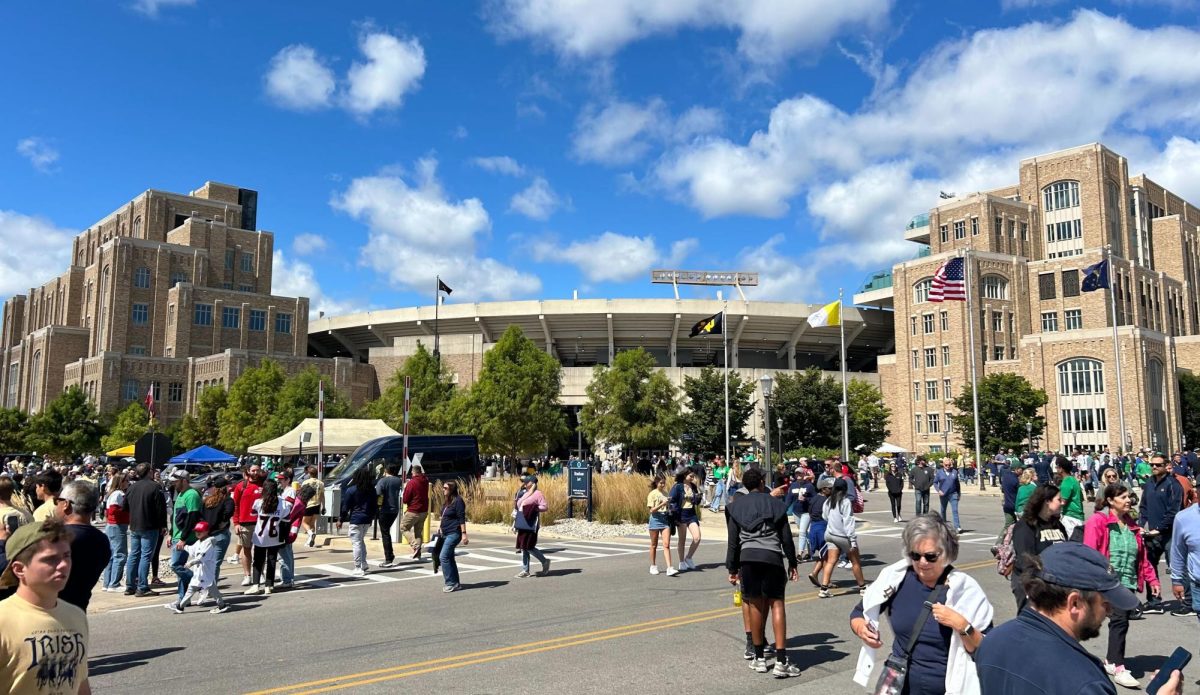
(769, 29)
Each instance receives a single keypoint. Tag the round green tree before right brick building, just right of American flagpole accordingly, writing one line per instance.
(1007, 403)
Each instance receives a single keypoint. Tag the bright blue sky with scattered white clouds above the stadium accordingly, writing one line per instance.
(531, 148)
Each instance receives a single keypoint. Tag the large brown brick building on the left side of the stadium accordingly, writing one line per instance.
(169, 292)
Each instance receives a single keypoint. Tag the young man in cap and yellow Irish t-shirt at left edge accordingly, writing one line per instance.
(44, 642)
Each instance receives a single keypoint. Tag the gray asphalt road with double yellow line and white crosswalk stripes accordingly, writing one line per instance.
(598, 622)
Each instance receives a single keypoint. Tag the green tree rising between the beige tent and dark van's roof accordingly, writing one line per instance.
(431, 393)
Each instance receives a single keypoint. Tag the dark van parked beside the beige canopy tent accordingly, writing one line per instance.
(443, 457)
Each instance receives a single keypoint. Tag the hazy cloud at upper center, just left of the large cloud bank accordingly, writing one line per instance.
(623, 133)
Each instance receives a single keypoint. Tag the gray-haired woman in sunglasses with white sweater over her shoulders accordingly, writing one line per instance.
(940, 661)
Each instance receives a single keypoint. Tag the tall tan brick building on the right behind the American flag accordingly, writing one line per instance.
(1030, 244)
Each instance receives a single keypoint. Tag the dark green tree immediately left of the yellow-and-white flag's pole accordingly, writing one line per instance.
(808, 404)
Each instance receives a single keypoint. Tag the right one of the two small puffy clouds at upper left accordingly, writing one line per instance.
(393, 69)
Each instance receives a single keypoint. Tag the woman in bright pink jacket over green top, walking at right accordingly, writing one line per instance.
(1114, 532)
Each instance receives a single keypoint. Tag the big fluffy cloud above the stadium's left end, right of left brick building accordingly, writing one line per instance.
(416, 232)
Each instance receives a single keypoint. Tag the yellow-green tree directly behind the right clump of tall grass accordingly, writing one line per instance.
(633, 404)
